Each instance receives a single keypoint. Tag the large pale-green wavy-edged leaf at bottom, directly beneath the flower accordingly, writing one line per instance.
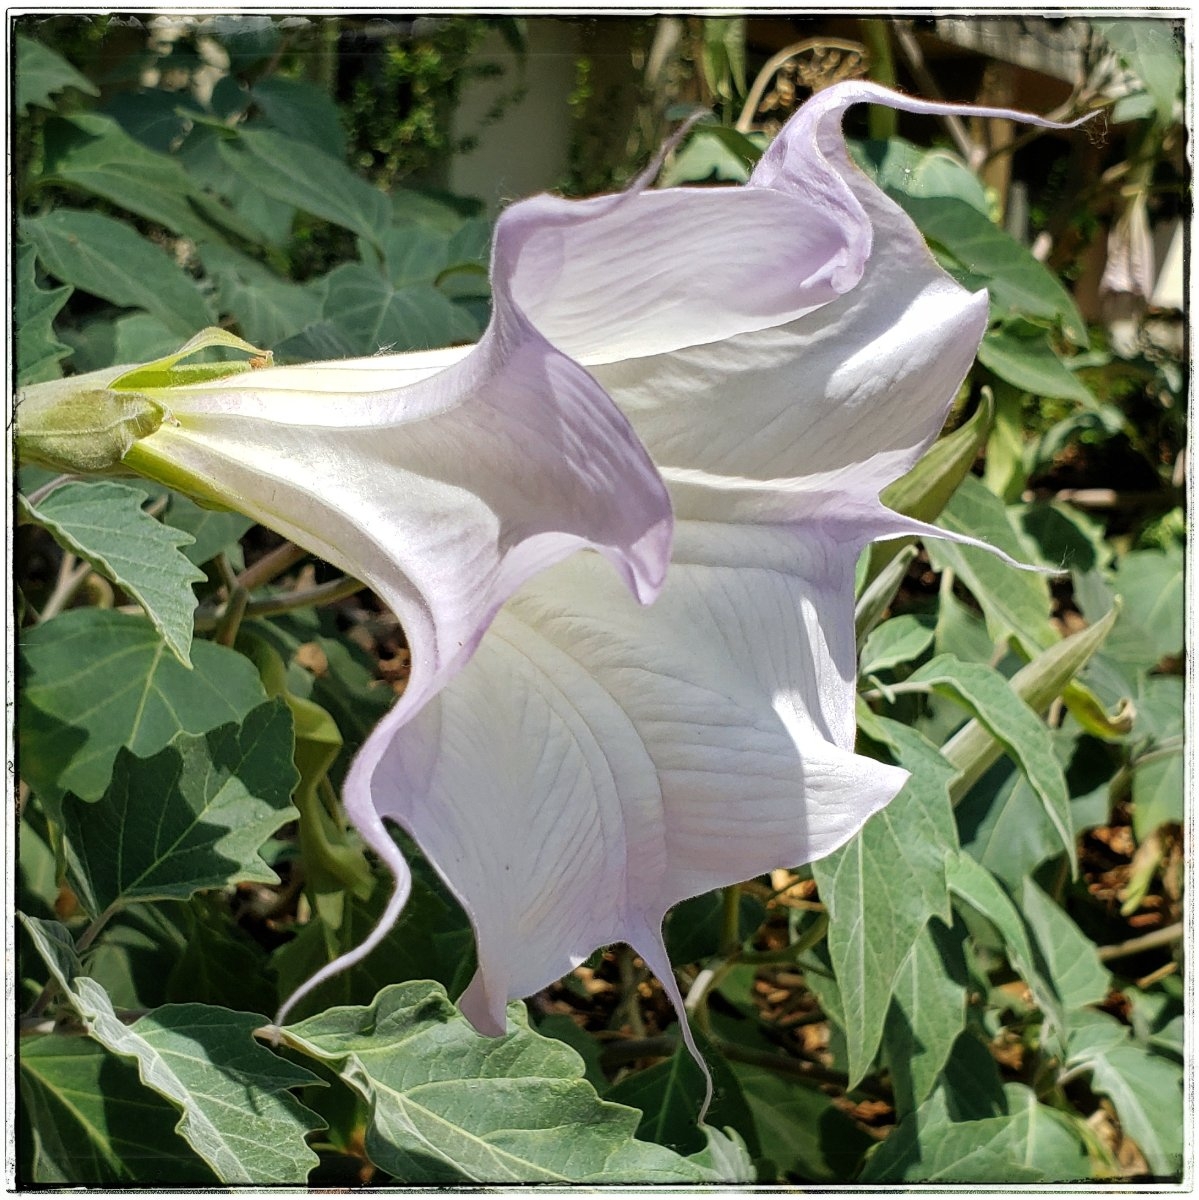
(449, 1106)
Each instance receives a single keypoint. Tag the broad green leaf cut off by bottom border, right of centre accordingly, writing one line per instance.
(1029, 1144)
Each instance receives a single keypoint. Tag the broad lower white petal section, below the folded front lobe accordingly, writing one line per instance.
(597, 764)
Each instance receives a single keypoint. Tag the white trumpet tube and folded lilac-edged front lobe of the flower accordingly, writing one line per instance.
(442, 479)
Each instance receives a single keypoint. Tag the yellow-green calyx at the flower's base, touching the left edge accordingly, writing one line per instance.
(89, 424)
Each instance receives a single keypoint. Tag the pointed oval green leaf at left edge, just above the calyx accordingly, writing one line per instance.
(109, 260)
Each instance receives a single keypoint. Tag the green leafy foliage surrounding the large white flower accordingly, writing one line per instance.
(1014, 1011)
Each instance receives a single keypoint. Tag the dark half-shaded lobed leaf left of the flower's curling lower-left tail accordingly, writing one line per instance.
(200, 809)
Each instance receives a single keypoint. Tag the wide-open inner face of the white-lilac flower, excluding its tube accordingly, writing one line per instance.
(597, 763)
